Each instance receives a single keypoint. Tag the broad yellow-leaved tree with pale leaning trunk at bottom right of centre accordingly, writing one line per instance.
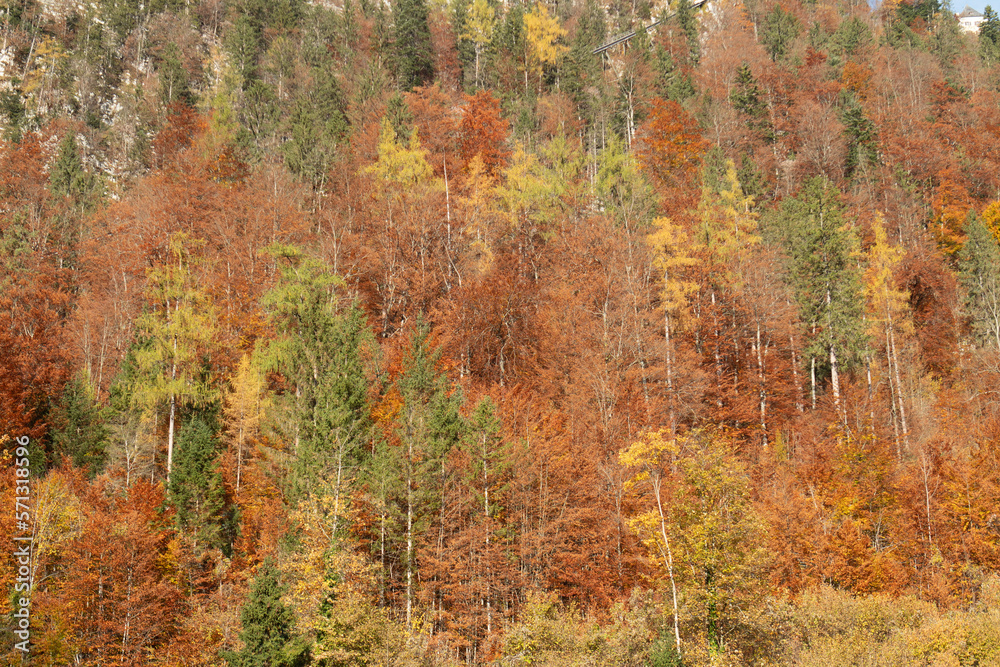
(700, 527)
